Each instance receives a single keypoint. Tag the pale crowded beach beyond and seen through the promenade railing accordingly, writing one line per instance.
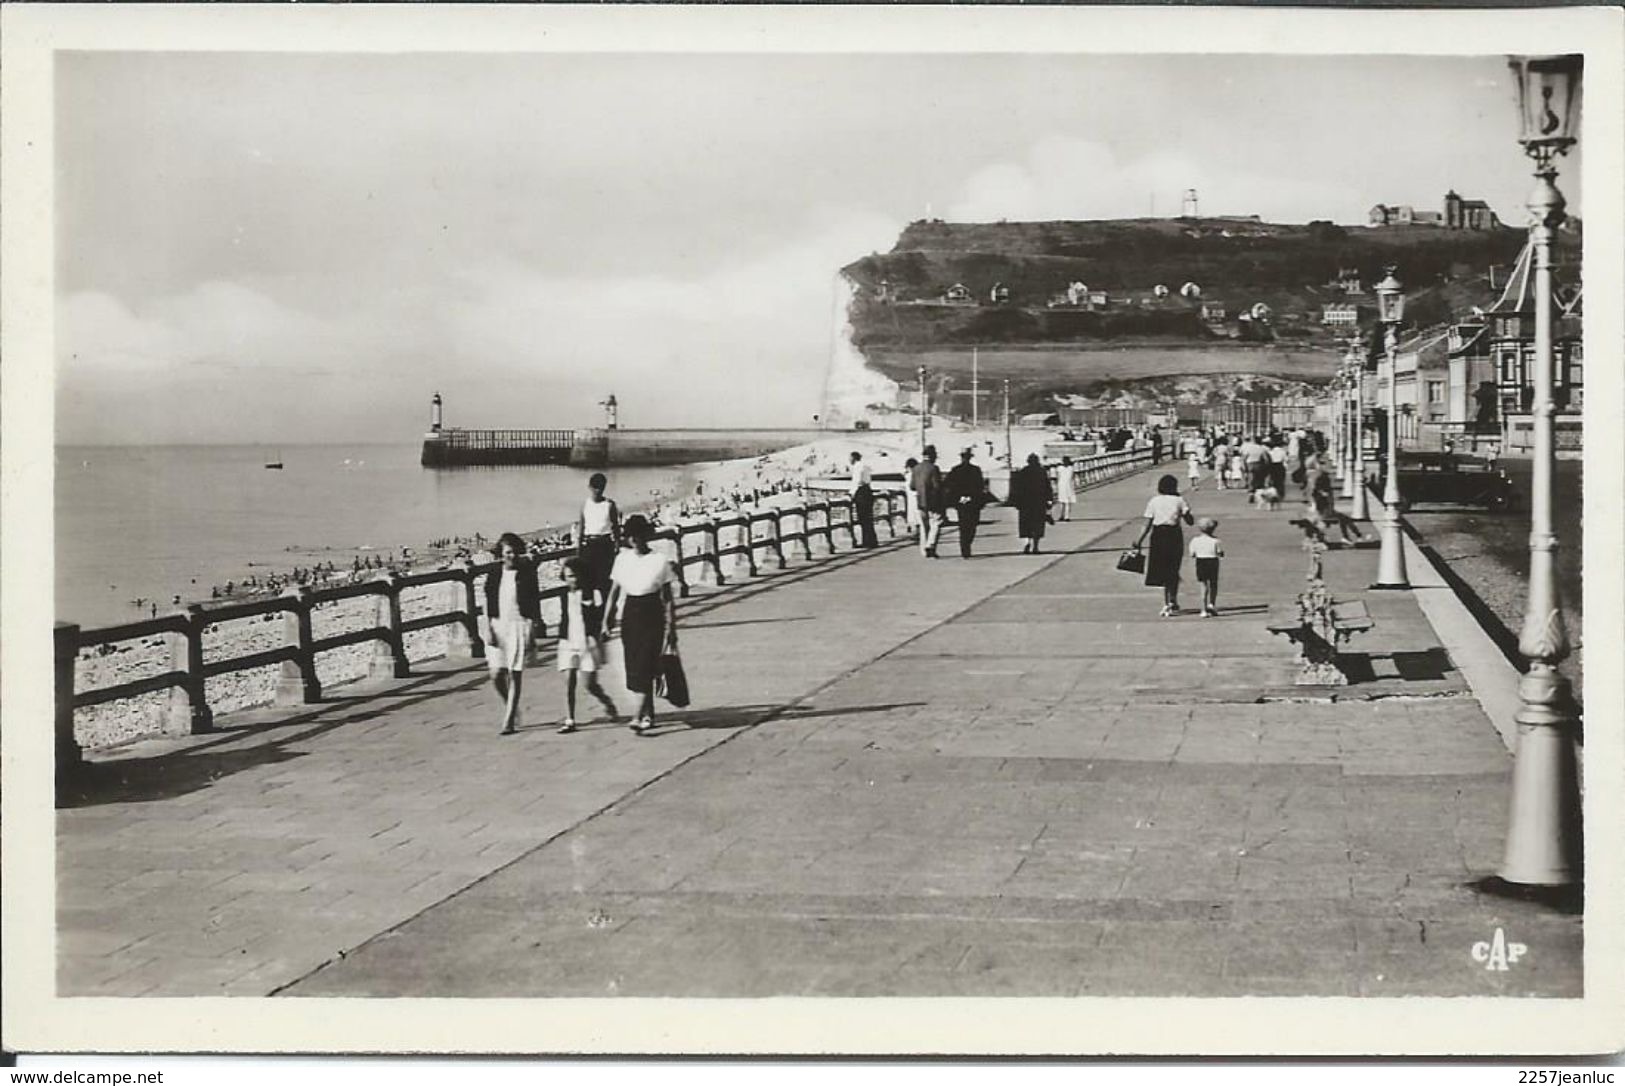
(708, 490)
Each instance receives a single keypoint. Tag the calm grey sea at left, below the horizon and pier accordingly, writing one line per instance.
(162, 521)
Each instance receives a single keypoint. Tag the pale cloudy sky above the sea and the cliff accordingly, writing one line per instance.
(305, 248)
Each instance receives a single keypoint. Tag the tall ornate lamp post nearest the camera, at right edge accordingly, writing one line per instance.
(1543, 838)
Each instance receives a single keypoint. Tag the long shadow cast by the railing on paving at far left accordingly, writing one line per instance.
(180, 773)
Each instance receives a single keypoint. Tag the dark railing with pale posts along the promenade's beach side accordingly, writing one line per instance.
(740, 537)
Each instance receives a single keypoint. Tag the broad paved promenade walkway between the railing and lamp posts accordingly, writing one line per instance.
(901, 778)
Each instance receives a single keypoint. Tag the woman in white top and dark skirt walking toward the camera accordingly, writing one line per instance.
(641, 591)
